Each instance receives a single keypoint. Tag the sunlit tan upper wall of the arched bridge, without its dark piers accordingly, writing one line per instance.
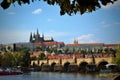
(73, 61)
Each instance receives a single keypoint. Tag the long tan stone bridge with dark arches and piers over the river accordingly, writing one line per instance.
(72, 63)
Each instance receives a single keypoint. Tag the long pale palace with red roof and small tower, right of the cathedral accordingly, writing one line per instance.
(89, 46)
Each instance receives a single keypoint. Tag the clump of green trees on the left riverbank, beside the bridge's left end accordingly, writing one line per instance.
(15, 59)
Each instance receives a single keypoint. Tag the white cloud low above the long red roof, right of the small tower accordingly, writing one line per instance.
(88, 38)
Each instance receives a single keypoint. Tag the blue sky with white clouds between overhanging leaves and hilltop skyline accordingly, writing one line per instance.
(100, 26)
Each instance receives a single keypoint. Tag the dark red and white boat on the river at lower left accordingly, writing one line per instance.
(9, 71)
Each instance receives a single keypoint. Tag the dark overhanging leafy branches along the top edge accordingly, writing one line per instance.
(66, 6)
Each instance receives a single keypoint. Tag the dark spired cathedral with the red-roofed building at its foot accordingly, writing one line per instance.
(43, 41)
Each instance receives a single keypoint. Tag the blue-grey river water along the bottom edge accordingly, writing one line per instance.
(53, 76)
